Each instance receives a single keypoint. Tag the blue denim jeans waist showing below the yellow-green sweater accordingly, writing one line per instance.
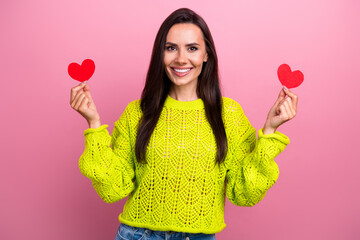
(126, 232)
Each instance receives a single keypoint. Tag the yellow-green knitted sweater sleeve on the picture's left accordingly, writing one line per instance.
(110, 168)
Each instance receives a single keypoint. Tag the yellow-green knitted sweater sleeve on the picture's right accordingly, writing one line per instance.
(252, 169)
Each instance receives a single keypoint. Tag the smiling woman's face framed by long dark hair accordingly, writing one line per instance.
(184, 54)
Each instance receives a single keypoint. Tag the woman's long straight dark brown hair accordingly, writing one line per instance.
(158, 84)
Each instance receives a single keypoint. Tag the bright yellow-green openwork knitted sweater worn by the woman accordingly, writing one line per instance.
(181, 188)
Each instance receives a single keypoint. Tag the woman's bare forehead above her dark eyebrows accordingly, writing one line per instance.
(185, 33)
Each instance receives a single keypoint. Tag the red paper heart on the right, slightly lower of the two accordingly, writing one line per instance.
(288, 78)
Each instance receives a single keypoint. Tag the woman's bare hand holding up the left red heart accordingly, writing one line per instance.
(82, 102)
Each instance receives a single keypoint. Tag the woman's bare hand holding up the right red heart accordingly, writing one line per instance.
(283, 110)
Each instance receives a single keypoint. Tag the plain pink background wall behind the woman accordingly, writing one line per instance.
(44, 195)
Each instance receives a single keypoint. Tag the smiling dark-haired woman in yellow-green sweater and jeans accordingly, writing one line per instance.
(178, 150)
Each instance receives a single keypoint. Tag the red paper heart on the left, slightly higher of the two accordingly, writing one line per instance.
(82, 73)
